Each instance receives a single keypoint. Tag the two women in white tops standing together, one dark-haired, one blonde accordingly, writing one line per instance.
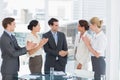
(91, 47)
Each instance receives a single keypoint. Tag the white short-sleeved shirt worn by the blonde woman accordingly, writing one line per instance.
(99, 43)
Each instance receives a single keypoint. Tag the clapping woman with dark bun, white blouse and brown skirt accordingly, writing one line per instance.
(35, 60)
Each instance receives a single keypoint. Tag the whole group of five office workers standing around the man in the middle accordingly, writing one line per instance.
(55, 46)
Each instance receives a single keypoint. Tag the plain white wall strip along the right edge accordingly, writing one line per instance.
(113, 34)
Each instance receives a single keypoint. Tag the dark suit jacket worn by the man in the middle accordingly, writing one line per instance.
(52, 51)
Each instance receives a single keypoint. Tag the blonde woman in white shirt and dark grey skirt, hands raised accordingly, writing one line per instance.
(97, 47)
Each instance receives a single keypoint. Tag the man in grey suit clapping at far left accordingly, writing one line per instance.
(11, 50)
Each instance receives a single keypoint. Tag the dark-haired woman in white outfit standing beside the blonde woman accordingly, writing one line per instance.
(82, 55)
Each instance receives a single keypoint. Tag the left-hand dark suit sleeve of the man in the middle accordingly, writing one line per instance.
(48, 50)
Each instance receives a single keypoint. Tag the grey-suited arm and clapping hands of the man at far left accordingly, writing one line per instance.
(12, 49)
